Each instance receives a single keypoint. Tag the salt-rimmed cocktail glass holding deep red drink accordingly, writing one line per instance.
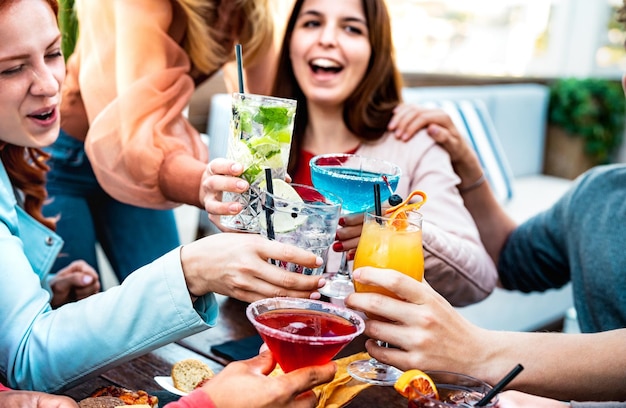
(303, 332)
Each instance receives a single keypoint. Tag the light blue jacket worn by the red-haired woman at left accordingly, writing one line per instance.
(48, 350)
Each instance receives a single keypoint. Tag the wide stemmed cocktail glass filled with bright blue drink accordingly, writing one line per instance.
(351, 177)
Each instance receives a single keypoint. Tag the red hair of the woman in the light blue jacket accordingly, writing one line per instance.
(26, 167)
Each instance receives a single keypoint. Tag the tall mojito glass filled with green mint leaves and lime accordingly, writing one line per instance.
(260, 137)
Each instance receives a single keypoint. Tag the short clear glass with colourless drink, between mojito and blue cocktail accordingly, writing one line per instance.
(308, 221)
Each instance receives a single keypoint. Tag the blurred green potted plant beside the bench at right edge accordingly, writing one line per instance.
(590, 110)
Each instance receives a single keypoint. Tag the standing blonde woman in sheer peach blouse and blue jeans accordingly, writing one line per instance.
(126, 153)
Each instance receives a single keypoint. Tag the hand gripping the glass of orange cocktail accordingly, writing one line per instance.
(426, 331)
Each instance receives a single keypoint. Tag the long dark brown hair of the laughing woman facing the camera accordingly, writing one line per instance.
(370, 107)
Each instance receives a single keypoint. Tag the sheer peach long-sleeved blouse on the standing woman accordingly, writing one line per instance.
(127, 85)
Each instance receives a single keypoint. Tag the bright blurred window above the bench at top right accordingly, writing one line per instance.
(543, 38)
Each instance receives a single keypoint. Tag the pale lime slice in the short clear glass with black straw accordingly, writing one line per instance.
(285, 218)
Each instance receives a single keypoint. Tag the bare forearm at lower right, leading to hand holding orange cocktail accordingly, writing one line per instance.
(583, 367)
